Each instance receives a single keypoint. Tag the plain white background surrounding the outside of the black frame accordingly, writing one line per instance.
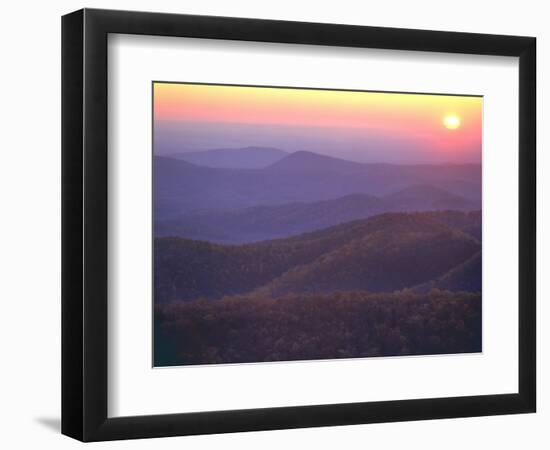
(30, 222)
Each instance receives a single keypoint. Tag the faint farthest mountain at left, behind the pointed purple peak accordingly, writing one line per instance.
(233, 158)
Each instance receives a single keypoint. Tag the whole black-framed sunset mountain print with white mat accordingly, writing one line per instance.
(272, 224)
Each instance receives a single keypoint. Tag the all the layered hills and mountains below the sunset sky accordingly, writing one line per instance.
(303, 256)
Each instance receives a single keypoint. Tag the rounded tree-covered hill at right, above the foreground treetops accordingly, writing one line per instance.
(407, 250)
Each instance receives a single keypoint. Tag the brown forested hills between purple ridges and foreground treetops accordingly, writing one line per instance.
(381, 254)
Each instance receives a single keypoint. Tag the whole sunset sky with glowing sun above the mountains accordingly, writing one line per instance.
(355, 125)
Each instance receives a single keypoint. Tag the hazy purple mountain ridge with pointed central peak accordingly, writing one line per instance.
(182, 187)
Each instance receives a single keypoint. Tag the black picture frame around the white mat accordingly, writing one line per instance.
(84, 224)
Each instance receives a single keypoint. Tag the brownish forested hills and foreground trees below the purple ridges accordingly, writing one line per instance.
(394, 284)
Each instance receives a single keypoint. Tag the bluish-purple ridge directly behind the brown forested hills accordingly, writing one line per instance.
(256, 223)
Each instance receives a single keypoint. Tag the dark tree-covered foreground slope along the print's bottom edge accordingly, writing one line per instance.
(349, 324)
